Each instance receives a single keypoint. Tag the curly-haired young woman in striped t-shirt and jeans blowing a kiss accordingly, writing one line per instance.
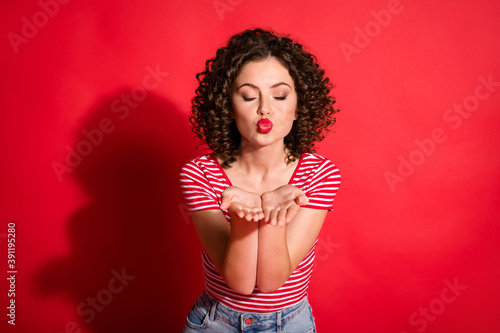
(258, 202)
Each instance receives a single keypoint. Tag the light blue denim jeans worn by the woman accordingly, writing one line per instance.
(209, 315)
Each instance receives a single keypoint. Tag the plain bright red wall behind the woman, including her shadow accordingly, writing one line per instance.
(387, 252)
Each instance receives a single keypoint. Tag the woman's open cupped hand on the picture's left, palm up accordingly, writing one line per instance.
(243, 204)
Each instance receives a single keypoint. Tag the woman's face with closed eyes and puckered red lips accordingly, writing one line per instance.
(264, 90)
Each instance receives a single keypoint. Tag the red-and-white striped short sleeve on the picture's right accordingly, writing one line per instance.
(322, 185)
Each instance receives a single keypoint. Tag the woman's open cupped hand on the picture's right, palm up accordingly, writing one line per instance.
(281, 205)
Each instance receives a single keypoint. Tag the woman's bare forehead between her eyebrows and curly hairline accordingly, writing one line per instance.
(265, 72)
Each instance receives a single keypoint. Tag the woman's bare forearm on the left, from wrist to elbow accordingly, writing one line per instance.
(239, 265)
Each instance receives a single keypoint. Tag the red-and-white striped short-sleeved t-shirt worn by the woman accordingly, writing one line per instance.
(203, 180)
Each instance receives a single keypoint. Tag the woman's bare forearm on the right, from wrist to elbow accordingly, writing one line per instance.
(273, 262)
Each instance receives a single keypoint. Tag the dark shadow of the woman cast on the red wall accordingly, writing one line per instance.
(133, 266)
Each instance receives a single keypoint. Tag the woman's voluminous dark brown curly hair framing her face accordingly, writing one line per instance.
(212, 110)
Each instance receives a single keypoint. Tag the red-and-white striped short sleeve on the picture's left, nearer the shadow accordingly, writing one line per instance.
(197, 191)
